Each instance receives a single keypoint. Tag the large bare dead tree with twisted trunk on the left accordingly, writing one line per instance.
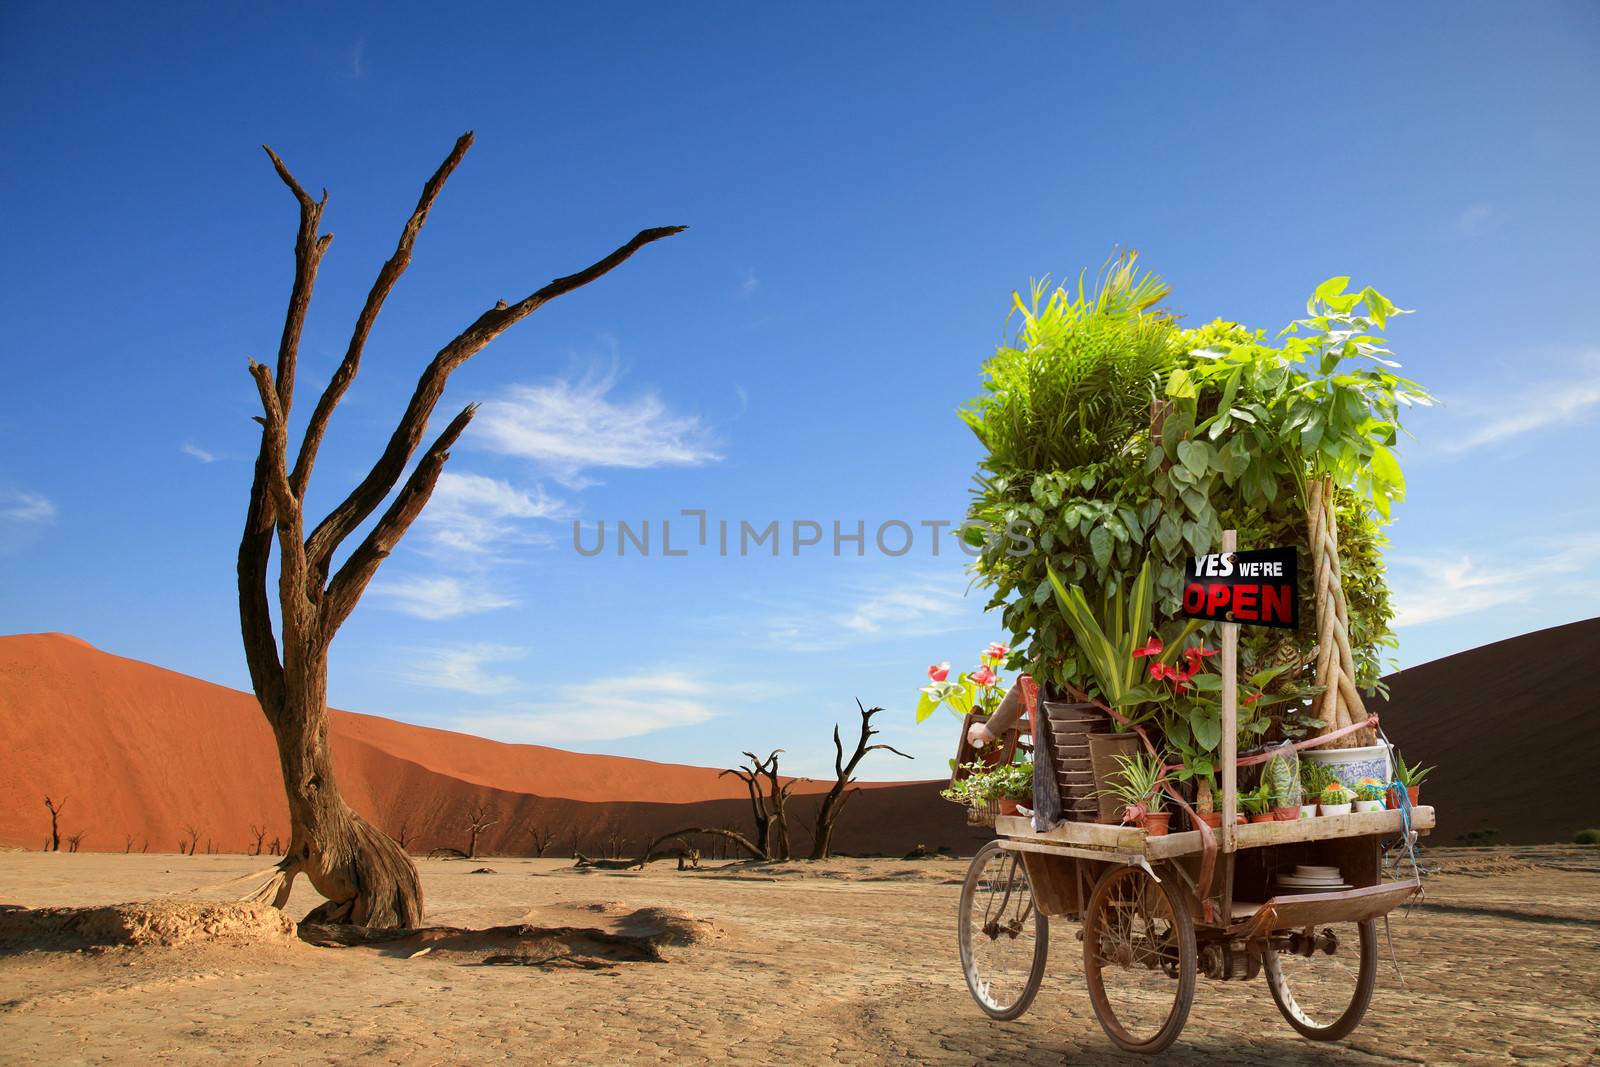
(366, 877)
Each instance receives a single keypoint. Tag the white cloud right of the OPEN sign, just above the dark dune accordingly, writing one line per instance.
(1450, 586)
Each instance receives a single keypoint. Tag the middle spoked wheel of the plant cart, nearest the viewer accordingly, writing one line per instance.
(1140, 959)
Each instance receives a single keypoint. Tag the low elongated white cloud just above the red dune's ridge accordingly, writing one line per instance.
(602, 709)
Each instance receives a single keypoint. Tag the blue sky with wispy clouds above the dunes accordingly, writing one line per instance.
(865, 191)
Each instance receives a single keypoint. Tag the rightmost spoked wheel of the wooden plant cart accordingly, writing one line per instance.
(1322, 978)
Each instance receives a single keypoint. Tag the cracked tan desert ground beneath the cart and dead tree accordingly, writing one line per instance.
(847, 962)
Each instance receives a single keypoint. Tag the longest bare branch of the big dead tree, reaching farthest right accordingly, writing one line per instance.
(492, 324)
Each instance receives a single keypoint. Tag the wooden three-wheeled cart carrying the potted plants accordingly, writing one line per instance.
(1159, 913)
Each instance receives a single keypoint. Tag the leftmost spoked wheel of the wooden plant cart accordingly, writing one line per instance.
(1002, 935)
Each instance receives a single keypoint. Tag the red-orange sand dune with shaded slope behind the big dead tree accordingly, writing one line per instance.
(148, 753)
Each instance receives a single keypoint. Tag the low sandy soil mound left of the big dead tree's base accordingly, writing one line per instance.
(146, 924)
